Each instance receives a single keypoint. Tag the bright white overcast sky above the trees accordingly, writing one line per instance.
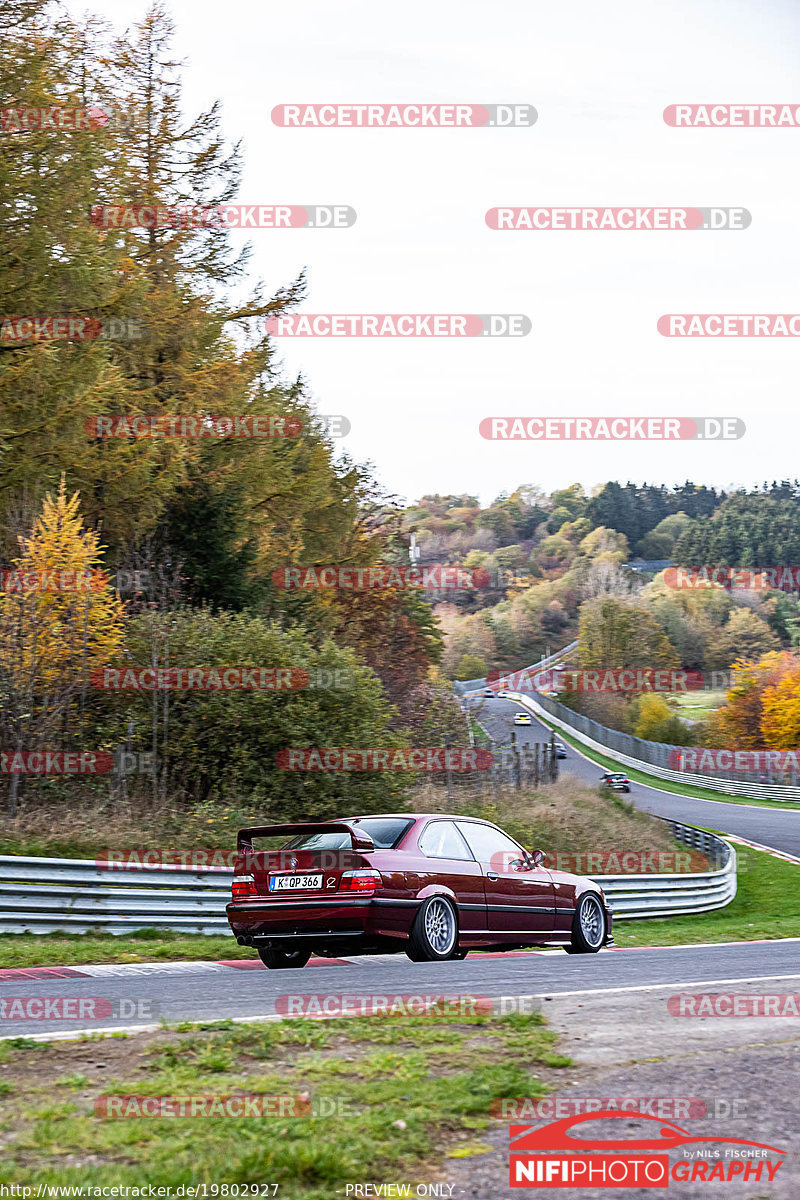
(600, 77)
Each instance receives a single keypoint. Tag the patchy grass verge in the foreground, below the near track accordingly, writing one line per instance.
(393, 1097)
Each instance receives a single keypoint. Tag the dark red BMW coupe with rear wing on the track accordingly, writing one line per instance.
(435, 886)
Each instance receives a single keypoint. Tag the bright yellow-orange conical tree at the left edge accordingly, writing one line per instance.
(61, 617)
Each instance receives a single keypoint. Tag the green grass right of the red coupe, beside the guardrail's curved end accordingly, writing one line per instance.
(767, 905)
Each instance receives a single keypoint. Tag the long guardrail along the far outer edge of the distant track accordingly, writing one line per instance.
(564, 719)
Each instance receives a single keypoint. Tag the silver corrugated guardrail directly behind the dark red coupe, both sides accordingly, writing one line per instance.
(49, 896)
